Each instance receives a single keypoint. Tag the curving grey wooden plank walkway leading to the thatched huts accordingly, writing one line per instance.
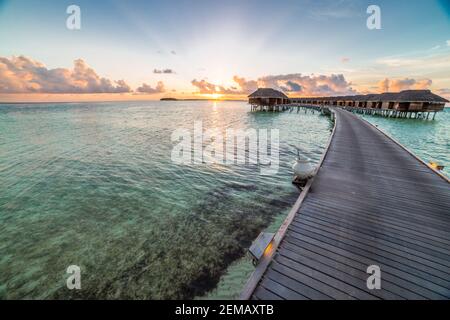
(371, 203)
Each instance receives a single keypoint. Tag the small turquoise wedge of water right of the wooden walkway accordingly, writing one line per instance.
(429, 140)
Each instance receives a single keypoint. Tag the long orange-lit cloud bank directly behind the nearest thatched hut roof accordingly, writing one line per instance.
(296, 83)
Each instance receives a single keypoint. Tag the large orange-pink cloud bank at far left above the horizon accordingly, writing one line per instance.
(24, 75)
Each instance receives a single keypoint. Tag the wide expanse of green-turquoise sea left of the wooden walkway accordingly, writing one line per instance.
(93, 185)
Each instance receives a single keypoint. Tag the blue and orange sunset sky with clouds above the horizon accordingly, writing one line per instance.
(130, 50)
